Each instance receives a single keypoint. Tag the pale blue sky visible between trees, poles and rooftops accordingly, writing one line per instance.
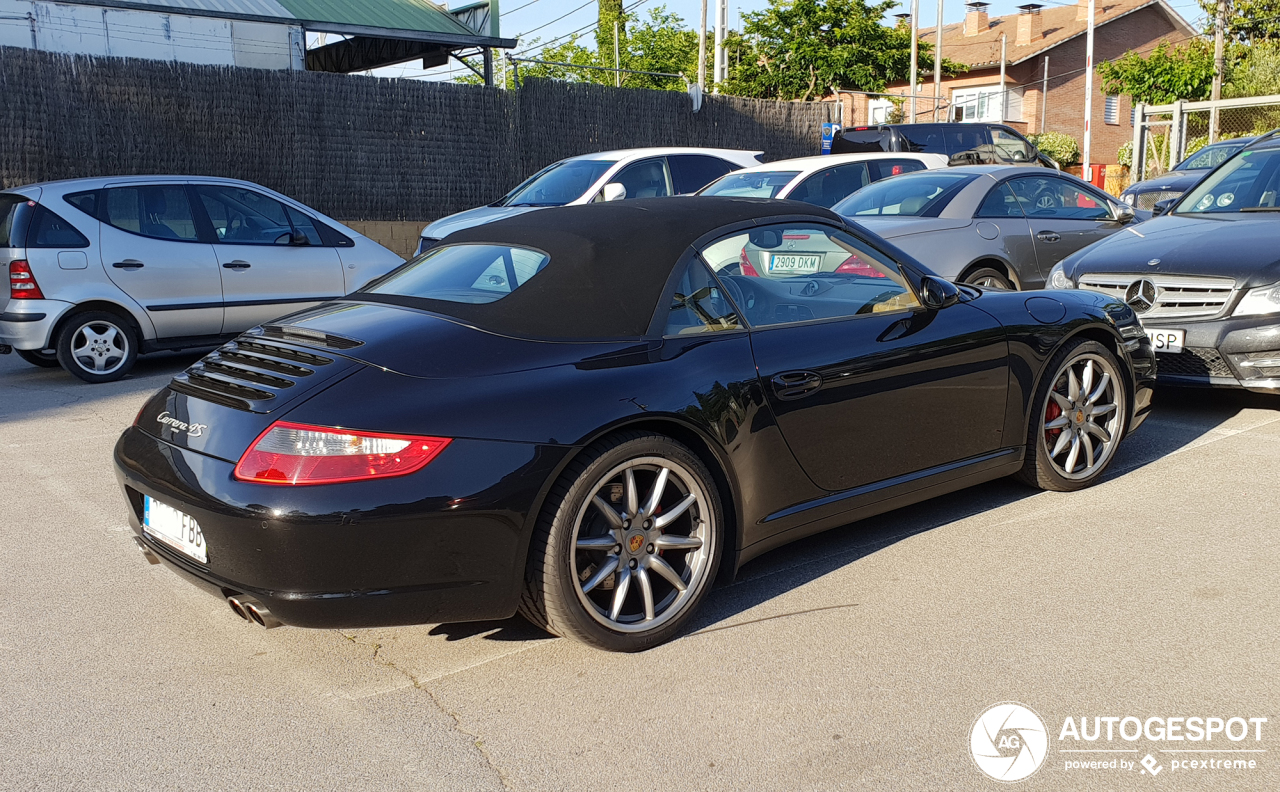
(548, 20)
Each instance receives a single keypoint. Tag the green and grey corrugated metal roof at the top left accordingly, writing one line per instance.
(417, 16)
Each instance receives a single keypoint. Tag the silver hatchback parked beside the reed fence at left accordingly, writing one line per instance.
(104, 269)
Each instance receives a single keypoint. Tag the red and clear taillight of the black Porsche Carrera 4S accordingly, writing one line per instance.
(300, 455)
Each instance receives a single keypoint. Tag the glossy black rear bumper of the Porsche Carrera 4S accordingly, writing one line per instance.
(440, 546)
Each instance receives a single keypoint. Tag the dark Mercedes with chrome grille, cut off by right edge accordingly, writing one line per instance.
(1205, 280)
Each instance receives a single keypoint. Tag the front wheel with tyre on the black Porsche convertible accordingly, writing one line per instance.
(1078, 419)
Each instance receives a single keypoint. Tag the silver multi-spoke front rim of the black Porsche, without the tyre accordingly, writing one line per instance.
(1084, 416)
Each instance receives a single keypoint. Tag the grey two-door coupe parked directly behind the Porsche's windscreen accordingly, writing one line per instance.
(990, 226)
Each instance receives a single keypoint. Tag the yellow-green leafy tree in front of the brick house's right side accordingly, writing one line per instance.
(1167, 75)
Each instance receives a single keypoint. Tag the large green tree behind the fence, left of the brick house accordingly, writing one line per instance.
(807, 49)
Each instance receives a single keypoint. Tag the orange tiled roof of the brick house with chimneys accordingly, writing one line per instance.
(1059, 25)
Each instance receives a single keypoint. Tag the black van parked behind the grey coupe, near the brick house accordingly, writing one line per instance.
(966, 144)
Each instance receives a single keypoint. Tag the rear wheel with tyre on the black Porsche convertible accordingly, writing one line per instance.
(627, 547)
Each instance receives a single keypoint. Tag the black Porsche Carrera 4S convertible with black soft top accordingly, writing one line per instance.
(591, 413)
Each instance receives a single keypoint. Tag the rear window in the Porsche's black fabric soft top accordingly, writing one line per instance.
(464, 273)
